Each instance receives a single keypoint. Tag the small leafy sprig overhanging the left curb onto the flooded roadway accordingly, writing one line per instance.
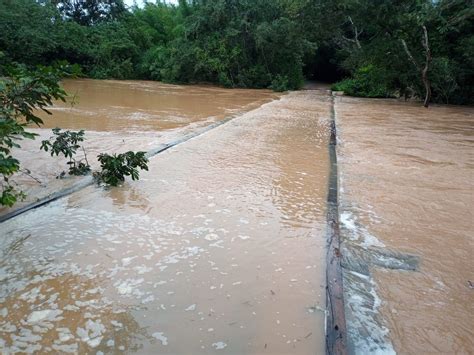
(115, 167)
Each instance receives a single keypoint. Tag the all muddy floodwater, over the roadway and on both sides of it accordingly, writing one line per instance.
(221, 245)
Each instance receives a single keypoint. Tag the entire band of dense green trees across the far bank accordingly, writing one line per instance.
(254, 43)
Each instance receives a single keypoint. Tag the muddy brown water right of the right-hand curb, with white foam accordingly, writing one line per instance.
(407, 184)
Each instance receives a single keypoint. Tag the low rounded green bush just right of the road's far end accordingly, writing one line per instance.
(368, 81)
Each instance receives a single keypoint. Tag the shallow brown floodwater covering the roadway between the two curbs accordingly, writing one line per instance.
(220, 247)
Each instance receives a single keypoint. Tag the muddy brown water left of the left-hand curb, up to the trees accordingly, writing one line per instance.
(118, 116)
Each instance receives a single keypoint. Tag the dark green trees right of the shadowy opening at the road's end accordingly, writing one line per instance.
(373, 38)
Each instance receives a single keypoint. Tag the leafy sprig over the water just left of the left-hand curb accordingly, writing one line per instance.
(66, 143)
